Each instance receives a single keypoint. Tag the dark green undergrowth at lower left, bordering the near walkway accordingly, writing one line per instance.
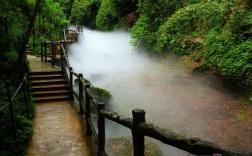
(23, 123)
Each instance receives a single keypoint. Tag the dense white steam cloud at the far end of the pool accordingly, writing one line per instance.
(105, 55)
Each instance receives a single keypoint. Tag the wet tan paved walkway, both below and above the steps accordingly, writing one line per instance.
(57, 129)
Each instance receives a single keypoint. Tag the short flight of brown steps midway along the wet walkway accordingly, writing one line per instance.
(49, 86)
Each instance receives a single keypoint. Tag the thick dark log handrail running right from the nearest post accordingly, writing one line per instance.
(192, 145)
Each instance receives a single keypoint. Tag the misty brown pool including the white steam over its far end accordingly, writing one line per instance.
(180, 102)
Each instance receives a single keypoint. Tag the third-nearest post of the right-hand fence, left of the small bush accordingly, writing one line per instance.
(87, 108)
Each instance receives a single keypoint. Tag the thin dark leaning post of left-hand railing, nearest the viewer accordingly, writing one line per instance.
(12, 115)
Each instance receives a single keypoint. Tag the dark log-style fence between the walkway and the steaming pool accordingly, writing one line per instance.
(137, 124)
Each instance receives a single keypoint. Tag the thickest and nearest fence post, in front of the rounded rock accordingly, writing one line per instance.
(138, 137)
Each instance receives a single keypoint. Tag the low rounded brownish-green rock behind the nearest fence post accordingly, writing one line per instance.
(124, 146)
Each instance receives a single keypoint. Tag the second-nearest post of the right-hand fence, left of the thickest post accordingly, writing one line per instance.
(101, 130)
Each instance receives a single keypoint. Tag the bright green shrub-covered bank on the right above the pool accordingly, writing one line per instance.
(218, 32)
